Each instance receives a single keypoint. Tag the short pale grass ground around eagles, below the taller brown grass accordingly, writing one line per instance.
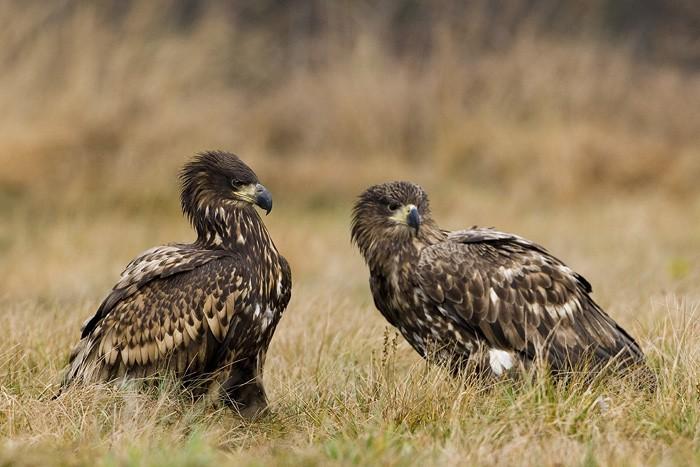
(342, 387)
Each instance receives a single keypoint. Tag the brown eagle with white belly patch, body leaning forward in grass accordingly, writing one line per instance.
(479, 296)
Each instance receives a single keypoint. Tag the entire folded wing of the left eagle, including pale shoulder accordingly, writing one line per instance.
(172, 307)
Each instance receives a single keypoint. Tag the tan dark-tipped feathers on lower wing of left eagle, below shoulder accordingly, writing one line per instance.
(166, 323)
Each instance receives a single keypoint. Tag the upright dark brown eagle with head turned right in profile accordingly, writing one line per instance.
(204, 311)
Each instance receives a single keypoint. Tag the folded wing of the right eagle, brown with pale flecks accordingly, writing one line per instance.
(515, 295)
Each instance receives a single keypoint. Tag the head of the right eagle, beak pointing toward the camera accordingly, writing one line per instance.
(388, 214)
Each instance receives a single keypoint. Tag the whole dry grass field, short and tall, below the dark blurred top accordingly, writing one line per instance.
(576, 144)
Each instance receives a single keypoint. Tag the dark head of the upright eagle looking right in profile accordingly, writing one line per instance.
(217, 178)
